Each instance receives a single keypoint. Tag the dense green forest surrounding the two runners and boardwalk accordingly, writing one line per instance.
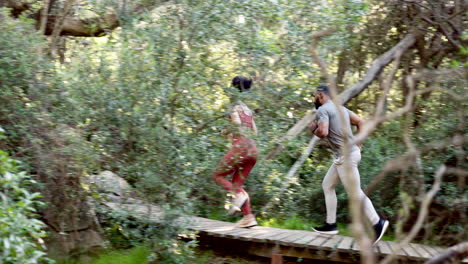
(142, 89)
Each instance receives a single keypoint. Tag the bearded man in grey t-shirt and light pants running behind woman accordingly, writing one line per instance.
(329, 125)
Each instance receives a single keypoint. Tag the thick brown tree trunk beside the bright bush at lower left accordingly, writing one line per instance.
(72, 227)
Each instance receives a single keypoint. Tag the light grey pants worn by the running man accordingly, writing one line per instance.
(351, 181)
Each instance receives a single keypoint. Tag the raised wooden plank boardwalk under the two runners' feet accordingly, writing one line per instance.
(275, 243)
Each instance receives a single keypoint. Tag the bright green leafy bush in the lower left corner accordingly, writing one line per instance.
(21, 232)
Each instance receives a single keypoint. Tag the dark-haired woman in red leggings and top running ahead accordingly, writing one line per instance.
(241, 158)
